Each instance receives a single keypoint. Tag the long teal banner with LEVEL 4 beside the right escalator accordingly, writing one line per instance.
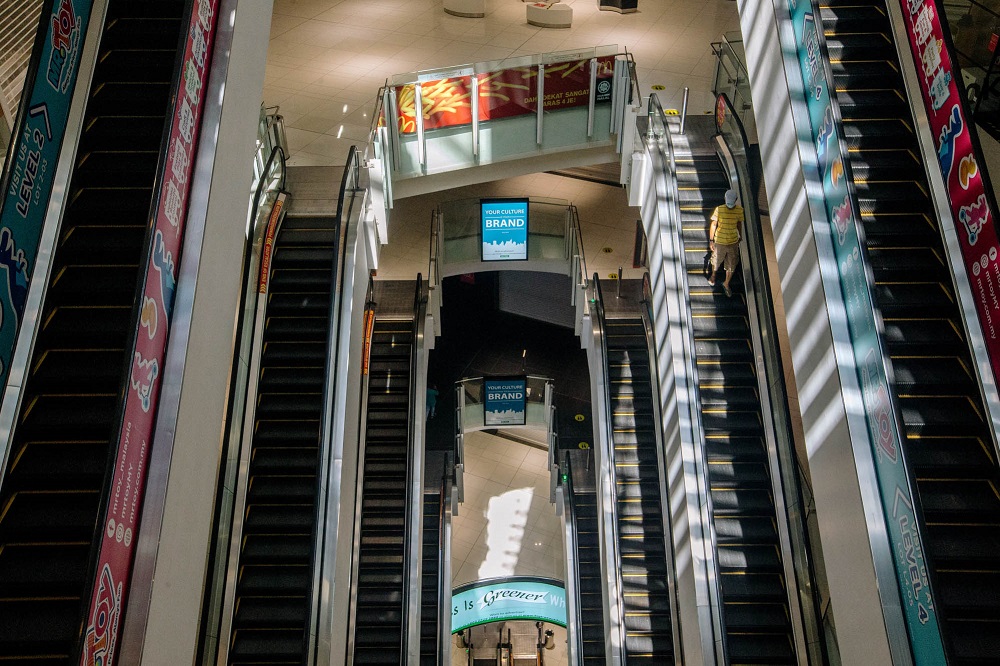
(907, 551)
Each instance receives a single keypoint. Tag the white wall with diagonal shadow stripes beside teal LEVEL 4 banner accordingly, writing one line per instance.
(813, 333)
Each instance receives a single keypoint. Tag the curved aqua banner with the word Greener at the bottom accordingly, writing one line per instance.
(514, 598)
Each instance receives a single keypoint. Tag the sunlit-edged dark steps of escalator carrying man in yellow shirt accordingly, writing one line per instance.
(753, 589)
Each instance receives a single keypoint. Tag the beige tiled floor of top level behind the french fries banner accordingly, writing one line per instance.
(327, 58)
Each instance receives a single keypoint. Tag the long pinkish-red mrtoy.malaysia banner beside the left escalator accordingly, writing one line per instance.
(114, 567)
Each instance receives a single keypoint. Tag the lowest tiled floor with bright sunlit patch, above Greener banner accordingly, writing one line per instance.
(506, 527)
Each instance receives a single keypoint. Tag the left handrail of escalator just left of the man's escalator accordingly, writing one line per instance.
(600, 329)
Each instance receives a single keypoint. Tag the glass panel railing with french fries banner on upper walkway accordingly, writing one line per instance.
(468, 115)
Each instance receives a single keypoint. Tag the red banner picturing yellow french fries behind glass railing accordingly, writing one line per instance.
(503, 94)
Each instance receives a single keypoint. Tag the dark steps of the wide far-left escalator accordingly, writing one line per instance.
(59, 466)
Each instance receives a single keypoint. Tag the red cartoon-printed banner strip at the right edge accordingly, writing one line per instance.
(973, 218)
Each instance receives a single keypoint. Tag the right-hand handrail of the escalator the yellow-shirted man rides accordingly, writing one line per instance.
(786, 467)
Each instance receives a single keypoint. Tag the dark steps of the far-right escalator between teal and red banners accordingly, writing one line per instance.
(948, 444)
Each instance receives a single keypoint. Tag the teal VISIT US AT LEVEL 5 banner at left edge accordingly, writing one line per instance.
(35, 147)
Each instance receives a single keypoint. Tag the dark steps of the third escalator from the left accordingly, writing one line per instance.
(380, 603)
